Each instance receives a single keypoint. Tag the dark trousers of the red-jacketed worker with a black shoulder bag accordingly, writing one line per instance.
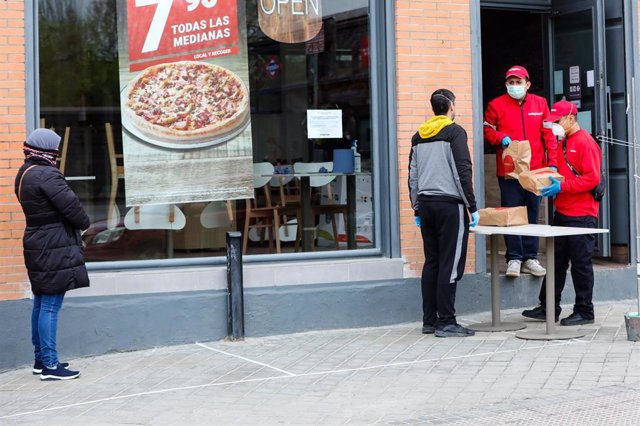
(577, 249)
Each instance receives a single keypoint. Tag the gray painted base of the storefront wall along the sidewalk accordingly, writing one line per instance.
(98, 325)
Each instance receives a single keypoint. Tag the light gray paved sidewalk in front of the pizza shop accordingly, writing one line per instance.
(385, 375)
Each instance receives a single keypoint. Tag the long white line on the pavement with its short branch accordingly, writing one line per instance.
(287, 376)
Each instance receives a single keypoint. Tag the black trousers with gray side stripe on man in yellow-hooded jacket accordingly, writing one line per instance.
(445, 232)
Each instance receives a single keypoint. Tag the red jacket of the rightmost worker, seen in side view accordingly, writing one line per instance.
(575, 197)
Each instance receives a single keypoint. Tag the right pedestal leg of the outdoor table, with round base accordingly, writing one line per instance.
(551, 332)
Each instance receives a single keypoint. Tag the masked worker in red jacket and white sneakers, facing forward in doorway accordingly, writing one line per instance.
(518, 115)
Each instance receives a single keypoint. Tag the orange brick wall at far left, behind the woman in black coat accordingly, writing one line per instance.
(13, 281)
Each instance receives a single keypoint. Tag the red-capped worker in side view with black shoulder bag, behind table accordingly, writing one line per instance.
(579, 161)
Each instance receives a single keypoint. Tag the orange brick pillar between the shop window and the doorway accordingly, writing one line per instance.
(433, 42)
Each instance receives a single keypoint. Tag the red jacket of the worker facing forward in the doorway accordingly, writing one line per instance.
(506, 117)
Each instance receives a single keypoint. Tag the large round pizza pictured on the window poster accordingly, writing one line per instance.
(186, 101)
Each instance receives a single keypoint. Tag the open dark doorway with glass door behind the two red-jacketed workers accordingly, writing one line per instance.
(573, 50)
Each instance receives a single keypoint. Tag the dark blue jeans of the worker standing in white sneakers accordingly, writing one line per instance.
(514, 195)
